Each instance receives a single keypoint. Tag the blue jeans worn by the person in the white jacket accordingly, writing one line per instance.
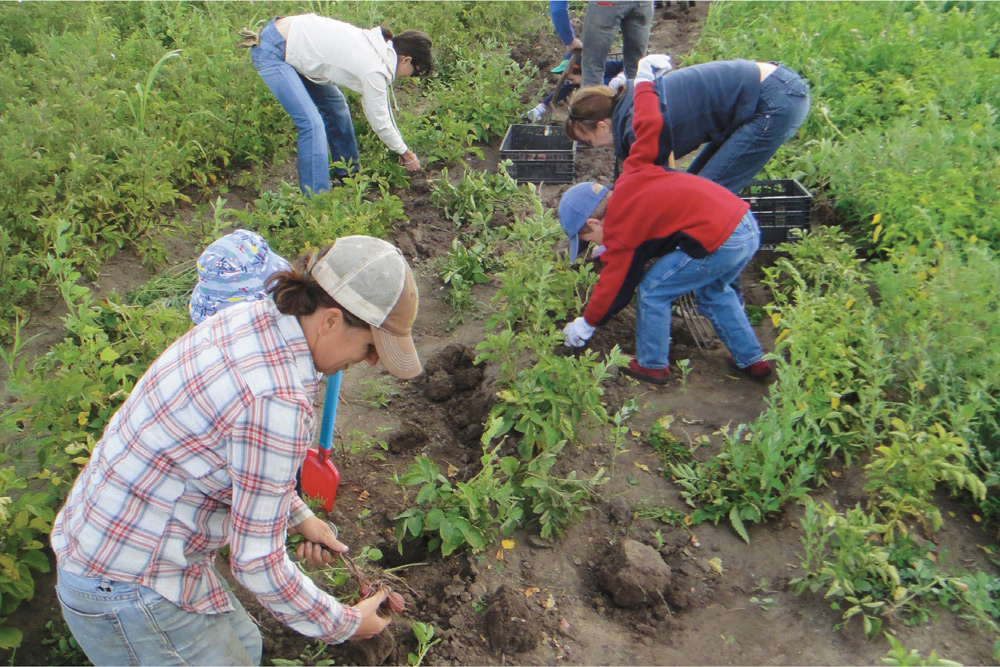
(320, 113)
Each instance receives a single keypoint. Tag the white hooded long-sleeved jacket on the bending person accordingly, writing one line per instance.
(328, 51)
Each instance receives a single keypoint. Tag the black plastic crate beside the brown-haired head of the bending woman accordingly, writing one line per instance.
(539, 153)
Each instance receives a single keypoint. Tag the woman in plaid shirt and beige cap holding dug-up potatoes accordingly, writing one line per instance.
(204, 454)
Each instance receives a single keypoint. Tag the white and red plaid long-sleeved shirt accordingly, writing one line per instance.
(203, 453)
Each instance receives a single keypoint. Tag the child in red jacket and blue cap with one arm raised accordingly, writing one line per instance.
(699, 234)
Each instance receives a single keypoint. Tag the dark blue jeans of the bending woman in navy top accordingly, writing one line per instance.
(781, 109)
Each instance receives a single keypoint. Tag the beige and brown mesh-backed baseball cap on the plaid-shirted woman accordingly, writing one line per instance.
(371, 279)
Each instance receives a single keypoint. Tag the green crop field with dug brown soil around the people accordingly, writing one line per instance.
(512, 492)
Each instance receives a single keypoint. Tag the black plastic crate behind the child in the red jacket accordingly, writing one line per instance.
(778, 205)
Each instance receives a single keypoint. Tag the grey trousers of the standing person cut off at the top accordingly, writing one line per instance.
(601, 22)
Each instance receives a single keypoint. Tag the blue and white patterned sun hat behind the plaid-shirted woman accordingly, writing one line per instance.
(233, 268)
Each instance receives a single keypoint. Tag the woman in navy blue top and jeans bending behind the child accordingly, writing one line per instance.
(740, 111)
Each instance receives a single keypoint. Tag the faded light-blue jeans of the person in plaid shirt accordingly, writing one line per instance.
(128, 624)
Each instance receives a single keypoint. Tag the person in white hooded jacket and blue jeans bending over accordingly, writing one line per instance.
(303, 59)
